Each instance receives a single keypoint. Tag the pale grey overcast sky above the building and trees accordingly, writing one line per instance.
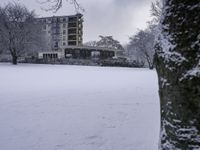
(119, 18)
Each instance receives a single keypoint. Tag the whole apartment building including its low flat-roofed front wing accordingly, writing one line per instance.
(64, 35)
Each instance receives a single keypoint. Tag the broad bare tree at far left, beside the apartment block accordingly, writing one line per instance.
(19, 31)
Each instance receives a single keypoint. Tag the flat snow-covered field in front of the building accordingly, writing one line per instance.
(52, 107)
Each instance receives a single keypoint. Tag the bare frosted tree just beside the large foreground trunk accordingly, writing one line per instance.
(141, 46)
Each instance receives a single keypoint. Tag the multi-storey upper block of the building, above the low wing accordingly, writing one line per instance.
(63, 31)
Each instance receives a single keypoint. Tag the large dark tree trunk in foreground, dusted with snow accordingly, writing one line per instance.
(177, 62)
